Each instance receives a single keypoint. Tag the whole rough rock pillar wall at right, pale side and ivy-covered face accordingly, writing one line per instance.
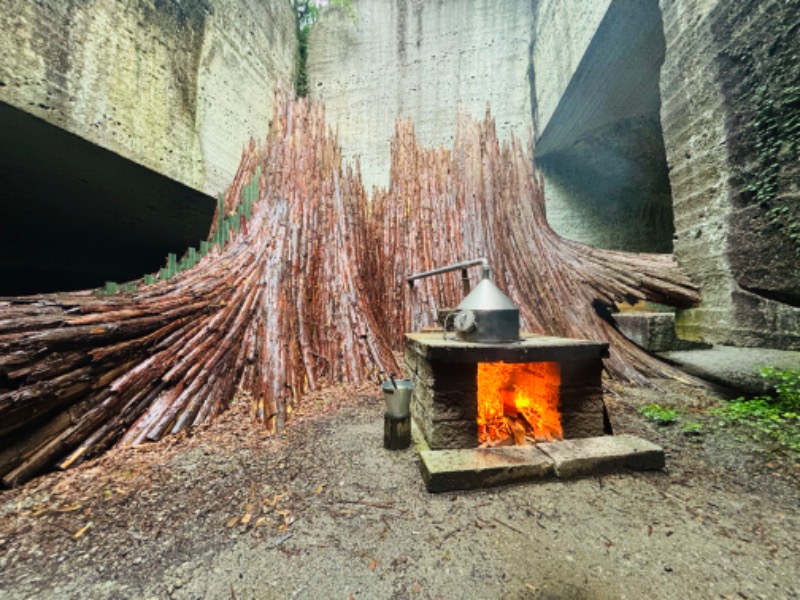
(731, 120)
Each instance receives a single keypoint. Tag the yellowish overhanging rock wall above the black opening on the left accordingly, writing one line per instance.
(178, 87)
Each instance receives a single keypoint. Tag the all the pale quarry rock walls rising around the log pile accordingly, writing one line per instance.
(651, 117)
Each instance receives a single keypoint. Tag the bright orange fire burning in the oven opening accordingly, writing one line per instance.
(518, 403)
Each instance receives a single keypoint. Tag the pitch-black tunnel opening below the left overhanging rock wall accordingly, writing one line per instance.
(75, 215)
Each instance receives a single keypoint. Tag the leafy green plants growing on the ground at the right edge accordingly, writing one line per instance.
(775, 418)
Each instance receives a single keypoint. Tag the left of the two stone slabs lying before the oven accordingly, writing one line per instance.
(447, 470)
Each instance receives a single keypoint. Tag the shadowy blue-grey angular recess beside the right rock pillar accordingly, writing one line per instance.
(602, 151)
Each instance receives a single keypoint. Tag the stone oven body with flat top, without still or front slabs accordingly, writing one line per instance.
(543, 388)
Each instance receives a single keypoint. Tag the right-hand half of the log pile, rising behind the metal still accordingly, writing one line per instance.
(485, 199)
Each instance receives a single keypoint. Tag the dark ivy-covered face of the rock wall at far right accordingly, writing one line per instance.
(758, 83)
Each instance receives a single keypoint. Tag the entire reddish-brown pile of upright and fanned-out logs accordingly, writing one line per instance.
(302, 288)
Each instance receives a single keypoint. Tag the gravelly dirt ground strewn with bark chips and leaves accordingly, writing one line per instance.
(325, 512)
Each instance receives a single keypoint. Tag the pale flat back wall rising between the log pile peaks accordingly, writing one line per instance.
(421, 61)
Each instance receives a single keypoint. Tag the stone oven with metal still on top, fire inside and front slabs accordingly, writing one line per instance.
(495, 406)
